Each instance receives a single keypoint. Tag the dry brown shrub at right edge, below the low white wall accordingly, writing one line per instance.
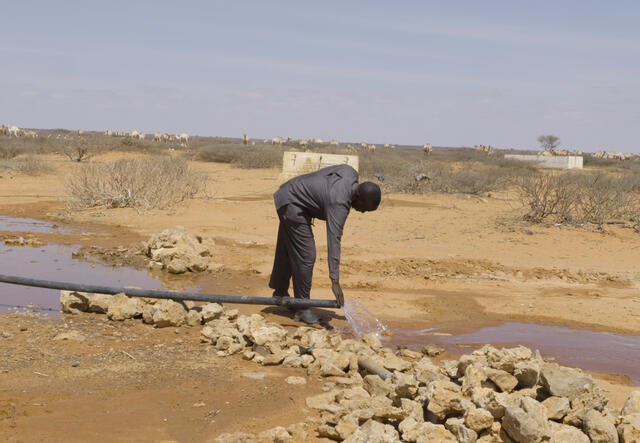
(579, 198)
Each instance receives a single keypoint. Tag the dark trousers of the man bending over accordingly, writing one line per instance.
(295, 252)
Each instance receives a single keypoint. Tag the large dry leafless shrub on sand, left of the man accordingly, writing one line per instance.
(141, 183)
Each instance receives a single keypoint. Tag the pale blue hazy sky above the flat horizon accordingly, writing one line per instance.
(449, 73)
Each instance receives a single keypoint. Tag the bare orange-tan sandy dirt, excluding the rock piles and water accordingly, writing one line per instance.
(455, 262)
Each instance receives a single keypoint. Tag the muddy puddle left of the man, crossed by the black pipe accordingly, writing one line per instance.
(55, 262)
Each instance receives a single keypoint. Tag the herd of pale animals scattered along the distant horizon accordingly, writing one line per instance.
(183, 140)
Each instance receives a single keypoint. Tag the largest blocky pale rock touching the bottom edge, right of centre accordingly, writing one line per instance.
(526, 422)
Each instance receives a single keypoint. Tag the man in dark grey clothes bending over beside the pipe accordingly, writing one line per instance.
(327, 194)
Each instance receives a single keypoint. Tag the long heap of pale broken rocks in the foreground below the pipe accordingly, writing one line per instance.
(490, 395)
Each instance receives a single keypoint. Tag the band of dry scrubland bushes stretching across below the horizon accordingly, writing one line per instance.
(606, 191)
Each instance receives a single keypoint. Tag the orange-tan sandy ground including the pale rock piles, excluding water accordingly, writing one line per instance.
(452, 262)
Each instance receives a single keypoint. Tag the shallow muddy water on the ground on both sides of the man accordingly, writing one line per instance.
(595, 351)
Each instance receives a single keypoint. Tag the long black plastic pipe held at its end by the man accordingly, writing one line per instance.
(173, 295)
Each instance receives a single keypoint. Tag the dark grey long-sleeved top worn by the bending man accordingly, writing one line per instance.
(325, 195)
